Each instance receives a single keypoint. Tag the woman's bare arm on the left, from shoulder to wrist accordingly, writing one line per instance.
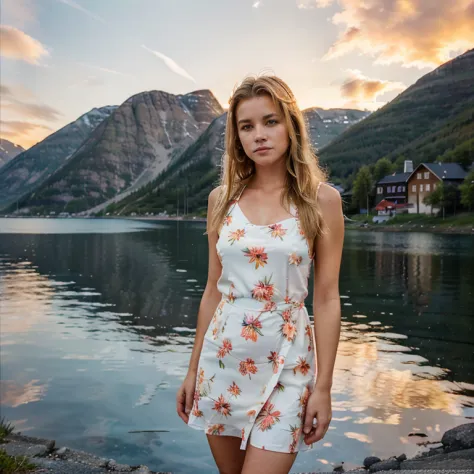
(211, 296)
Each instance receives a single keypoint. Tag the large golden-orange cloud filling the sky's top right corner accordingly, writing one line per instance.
(413, 33)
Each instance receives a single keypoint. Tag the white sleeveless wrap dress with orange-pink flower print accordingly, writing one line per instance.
(257, 365)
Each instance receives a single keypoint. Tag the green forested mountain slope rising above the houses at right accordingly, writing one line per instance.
(429, 119)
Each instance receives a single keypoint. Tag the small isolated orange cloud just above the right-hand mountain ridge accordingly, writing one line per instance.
(359, 88)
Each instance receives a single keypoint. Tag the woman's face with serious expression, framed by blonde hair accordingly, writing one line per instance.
(262, 130)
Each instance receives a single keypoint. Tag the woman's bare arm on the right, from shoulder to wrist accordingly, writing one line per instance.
(326, 299)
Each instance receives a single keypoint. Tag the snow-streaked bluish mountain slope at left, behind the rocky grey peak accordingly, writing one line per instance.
(30, 169)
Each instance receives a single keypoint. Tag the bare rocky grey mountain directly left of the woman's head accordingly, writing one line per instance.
(132, 146)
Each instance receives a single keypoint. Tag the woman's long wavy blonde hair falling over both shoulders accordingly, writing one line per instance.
(304, 172)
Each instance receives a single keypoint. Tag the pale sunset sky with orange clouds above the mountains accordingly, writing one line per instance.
(61, 58)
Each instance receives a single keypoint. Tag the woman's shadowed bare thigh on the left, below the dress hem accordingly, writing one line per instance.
(227, 453)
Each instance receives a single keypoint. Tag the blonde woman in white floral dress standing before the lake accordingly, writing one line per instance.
(252, 383)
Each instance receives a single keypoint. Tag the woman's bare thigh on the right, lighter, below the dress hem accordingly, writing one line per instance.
(262, 461)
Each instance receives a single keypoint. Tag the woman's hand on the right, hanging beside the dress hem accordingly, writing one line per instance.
(319, 407)
